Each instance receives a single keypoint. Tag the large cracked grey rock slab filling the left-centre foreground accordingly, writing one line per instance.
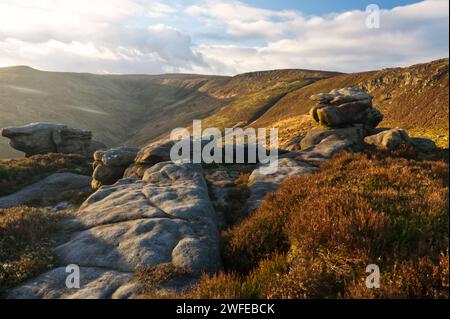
(165, 218)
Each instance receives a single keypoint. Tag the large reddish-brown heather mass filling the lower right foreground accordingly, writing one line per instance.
(358, 210)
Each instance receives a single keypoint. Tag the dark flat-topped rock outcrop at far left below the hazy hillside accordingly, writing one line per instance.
(41, 138)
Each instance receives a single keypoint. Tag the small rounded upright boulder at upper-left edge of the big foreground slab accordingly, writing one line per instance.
(109, 166)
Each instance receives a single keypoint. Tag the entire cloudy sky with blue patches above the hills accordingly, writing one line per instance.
(219, 37)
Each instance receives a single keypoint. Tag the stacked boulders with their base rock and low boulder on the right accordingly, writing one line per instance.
(348, 121)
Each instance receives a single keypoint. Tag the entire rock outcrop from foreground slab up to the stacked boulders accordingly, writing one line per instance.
(158, 212)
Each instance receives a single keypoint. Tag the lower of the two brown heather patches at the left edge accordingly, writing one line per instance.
(25, 240)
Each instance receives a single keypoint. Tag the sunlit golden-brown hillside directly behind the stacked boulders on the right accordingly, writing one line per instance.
(415, 98)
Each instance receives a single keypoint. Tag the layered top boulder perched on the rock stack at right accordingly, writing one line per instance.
(344, 107)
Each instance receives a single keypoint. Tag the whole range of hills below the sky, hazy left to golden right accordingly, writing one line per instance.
(137, 109)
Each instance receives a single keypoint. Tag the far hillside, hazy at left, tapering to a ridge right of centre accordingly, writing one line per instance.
(135, 109)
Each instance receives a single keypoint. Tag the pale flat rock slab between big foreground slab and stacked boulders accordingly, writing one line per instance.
(261, 184)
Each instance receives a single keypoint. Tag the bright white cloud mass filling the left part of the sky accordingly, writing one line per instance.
(91, 35)
